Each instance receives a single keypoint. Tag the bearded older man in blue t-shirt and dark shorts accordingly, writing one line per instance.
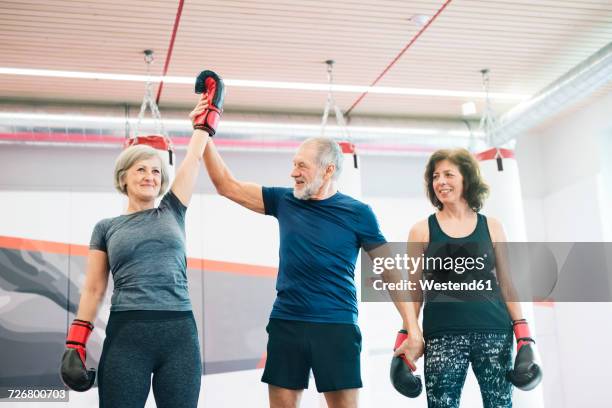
(313, 324)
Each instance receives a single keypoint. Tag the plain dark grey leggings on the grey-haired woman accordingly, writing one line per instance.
(139, 344)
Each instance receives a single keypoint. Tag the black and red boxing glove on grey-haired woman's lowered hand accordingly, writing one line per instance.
(73, 371)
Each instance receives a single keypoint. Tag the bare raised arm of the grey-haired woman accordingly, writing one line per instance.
(187, 173)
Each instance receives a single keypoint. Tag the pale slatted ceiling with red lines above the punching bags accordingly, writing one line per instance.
(526, 44)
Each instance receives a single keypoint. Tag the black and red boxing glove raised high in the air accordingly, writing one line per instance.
(211, 84)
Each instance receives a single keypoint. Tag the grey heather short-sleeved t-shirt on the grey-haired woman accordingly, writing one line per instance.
(147, 257)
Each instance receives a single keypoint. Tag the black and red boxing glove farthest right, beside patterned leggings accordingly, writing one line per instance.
(526, 374)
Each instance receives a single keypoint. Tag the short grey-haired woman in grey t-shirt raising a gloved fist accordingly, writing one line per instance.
(151, 330)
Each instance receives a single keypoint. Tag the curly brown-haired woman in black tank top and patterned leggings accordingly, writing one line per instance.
(466, 318)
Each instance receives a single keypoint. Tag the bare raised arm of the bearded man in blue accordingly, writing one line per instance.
(248, 195)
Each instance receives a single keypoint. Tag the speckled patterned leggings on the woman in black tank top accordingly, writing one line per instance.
(447, 358)
